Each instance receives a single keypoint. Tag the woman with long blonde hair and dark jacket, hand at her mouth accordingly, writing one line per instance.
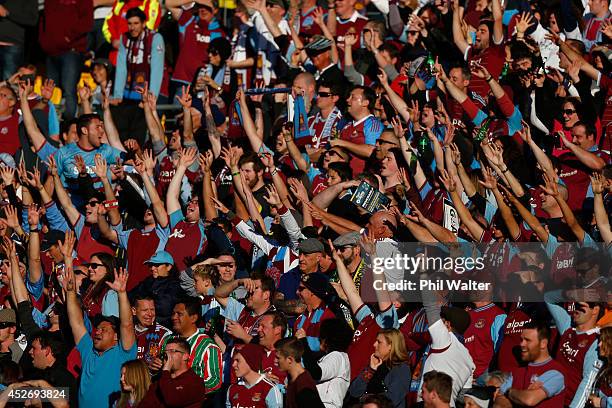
(388, 371)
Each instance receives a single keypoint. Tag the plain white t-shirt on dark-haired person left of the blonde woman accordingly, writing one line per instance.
(335, 378)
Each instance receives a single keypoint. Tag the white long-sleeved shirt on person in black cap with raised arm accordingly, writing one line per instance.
(454, 360)
